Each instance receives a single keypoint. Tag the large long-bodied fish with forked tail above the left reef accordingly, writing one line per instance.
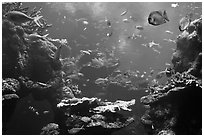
(19, 18)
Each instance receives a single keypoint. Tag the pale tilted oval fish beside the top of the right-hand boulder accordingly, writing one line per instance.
(185, 22)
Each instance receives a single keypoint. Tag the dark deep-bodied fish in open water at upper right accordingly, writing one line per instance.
(158, 18)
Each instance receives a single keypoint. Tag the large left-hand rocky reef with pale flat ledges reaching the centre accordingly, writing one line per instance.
(31, 67)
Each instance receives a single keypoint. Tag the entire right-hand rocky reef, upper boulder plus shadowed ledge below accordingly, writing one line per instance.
(176, 107)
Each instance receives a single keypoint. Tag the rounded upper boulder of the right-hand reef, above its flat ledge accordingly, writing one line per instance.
(189, 47)
